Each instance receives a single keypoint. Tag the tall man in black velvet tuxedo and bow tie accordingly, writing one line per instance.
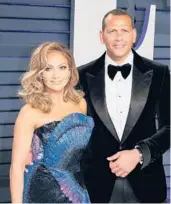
(124, 92)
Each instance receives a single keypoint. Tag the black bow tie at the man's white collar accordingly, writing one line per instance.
(124, 69)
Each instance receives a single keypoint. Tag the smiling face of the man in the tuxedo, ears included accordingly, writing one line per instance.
(118, 36)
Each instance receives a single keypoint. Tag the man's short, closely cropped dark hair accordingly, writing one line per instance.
(117, 12)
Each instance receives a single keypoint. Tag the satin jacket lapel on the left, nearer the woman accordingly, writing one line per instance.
(96, 86)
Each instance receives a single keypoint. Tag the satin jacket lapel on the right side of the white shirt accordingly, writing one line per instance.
(140, 90)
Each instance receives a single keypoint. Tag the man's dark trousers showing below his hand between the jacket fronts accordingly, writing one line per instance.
(122, 192)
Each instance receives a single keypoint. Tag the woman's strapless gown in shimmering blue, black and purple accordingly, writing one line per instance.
(56, 176)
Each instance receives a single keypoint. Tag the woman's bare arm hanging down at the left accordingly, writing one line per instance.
(23, 132)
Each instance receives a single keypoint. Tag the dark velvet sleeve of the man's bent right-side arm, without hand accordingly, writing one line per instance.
(154, 146)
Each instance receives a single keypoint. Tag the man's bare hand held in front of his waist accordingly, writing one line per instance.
(123, 162)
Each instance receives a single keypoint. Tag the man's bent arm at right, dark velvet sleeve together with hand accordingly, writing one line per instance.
(123, 162)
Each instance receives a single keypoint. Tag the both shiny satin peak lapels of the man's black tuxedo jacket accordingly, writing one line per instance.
(142, 77)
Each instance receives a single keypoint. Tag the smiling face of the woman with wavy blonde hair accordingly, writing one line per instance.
(57, 73)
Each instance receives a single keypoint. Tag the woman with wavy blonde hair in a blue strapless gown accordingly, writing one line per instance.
(53, 123)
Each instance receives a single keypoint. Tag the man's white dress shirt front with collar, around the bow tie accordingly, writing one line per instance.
(118, 94)
